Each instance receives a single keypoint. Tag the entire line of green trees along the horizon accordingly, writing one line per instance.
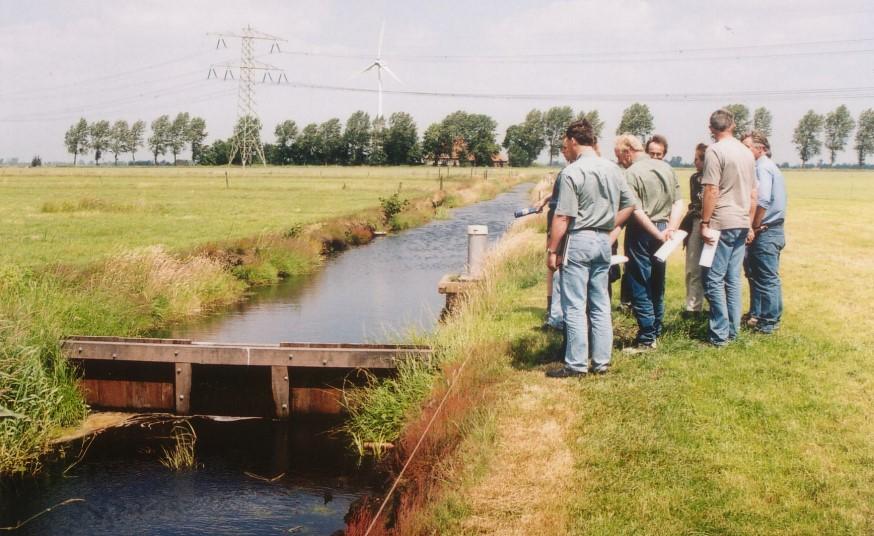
(462, 137)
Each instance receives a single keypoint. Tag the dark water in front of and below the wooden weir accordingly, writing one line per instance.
(127, 491)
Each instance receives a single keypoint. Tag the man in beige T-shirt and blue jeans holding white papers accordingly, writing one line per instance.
(728, 206)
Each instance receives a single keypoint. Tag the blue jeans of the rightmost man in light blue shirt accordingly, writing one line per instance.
(766, 297)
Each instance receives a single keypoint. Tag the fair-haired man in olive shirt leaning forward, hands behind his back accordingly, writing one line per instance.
(656, 187)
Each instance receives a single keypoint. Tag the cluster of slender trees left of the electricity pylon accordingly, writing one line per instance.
(121, 137)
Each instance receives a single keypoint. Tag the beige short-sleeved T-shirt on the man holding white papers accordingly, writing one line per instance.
(730, 166)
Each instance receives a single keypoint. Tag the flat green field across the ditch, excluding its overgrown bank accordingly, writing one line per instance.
(78, 215)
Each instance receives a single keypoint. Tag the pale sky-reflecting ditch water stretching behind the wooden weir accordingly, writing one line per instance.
(374, 293)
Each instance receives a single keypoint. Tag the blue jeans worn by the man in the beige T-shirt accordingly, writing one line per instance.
(722, 286)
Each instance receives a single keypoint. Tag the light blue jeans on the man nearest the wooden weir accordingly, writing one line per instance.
(584, 283)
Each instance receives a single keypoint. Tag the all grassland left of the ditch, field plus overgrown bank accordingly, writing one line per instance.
(96, 264)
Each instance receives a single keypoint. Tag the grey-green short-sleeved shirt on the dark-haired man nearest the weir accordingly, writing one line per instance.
(591, 190)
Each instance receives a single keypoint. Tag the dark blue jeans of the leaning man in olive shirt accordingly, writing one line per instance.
(646, 277)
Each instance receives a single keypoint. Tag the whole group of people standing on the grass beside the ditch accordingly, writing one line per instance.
(738, 205)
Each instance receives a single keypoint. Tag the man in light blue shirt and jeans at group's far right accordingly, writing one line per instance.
(766, 238)
